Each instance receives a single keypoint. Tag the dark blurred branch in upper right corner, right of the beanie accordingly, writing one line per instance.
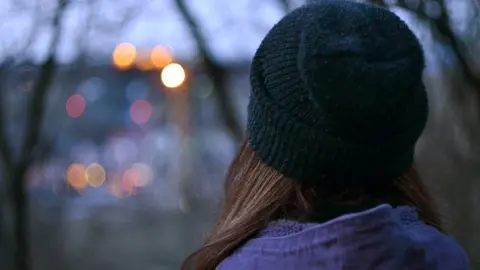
(442, 25)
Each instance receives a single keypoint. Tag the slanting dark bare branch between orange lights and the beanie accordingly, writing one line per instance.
(217, 73)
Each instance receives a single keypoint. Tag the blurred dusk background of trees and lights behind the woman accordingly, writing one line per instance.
(118, 119)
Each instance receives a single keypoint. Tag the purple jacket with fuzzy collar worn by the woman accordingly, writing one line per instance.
(381, 238)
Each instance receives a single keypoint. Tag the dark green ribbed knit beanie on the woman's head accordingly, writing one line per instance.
(337, 95)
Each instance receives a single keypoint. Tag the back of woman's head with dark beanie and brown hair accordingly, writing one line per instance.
(336, 107)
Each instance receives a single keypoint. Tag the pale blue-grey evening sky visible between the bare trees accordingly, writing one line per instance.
(233, 28)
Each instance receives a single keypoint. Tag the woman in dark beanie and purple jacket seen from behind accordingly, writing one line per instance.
(325, 178)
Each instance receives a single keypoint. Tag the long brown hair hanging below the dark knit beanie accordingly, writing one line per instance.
(257, 194)
